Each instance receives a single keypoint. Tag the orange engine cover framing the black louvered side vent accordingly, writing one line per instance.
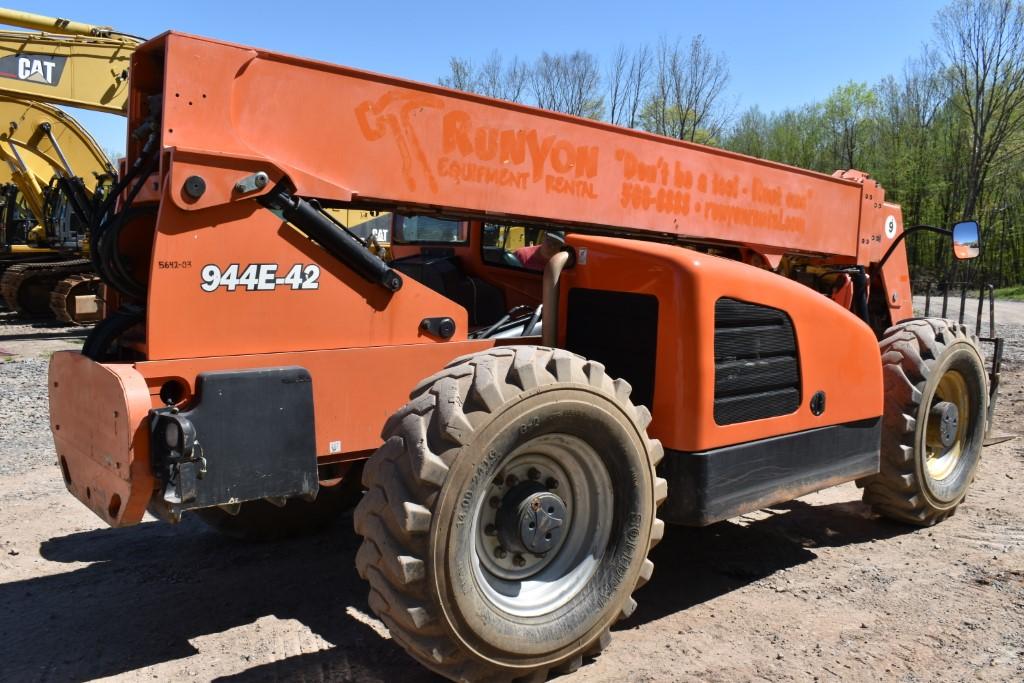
(838, 354)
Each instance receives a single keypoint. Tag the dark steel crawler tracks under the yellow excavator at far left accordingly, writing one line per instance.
(29, 289)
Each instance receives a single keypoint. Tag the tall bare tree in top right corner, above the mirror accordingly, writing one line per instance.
(984, 45)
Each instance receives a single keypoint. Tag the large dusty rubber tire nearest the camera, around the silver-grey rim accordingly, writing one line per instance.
(441, 452)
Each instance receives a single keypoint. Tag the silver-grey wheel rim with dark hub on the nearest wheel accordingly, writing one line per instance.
(548, 477)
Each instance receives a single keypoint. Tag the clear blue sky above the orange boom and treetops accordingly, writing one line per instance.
(782, 54)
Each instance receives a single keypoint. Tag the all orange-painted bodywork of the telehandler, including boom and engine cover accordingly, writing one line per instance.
(229, 113)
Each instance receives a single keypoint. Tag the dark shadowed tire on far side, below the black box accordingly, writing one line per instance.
(260, 521)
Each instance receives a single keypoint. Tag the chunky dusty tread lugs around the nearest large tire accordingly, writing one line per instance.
(406, 475)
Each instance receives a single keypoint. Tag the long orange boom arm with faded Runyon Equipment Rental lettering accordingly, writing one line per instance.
(353, 137)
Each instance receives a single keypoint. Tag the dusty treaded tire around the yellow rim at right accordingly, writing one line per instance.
(916, 355)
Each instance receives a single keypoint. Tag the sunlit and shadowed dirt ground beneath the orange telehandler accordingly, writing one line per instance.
(812, 590)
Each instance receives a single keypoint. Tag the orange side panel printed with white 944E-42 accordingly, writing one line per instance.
(195, 313)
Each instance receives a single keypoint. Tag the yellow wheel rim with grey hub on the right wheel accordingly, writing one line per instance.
(949, 419)
